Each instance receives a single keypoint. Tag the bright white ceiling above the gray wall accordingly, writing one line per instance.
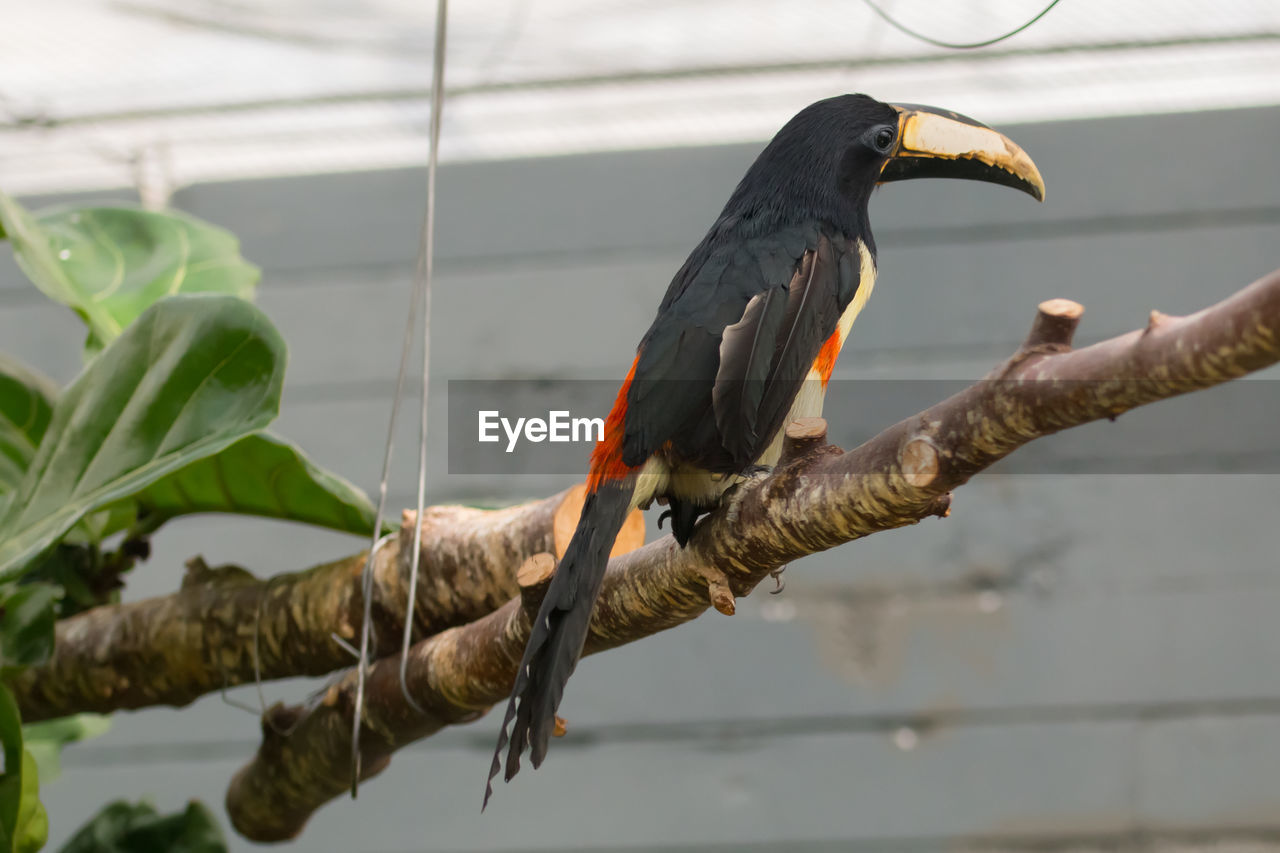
(111, 93)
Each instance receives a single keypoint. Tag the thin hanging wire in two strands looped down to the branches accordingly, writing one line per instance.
(420, 298)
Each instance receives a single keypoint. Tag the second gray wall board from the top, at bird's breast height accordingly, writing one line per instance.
(584, 320)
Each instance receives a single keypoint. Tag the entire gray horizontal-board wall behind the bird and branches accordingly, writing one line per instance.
(1071, 659)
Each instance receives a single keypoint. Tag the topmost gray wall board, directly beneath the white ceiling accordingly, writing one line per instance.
(634, 202)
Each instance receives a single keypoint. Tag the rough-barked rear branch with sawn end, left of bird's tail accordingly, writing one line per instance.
(176, 649)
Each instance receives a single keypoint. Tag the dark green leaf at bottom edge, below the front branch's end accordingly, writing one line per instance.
(122, 828)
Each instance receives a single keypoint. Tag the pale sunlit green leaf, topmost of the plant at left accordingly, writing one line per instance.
(111, 264)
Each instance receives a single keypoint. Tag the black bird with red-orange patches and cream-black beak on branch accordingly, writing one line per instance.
(744, 343)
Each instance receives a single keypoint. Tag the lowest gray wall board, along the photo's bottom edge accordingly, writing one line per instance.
(1012, 788)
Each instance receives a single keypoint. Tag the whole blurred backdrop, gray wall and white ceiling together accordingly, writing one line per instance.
(1076, 660)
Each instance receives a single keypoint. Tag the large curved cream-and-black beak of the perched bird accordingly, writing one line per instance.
(941, 144)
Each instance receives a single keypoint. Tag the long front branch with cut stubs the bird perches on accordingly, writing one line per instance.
(816, 499)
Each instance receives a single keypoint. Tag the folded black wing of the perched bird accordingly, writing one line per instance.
(733, 343)
